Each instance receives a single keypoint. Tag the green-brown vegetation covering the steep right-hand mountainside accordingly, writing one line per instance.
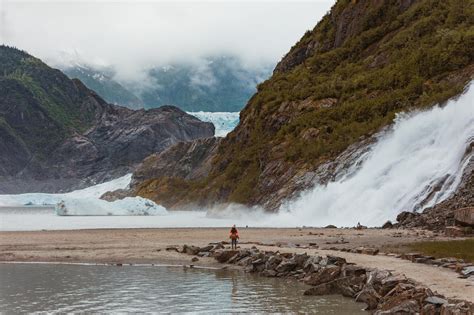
(396, 63)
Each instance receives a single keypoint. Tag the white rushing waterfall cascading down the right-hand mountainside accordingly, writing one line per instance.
(417, 163)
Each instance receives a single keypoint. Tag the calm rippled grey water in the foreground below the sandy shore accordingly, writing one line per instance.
(28, 288)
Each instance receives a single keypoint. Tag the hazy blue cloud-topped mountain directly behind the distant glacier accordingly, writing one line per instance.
(214, 84)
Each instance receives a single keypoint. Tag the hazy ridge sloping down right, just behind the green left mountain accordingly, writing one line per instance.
(101, 81)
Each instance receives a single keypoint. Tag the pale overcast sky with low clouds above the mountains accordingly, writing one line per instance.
(133, 35)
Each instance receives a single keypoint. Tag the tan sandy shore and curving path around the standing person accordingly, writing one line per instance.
(149, 246)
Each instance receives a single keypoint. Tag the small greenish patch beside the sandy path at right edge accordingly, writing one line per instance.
(462, 249)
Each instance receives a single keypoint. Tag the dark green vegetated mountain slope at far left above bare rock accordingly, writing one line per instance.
(40, 106)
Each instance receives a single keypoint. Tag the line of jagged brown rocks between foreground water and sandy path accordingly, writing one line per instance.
(384, 292)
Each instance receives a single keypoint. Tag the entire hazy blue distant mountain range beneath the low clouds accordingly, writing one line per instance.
(211, 84)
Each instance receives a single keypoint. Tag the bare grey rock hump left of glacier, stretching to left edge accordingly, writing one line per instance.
(113, 147)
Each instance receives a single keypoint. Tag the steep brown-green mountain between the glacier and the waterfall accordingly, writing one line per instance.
(337, 87)
